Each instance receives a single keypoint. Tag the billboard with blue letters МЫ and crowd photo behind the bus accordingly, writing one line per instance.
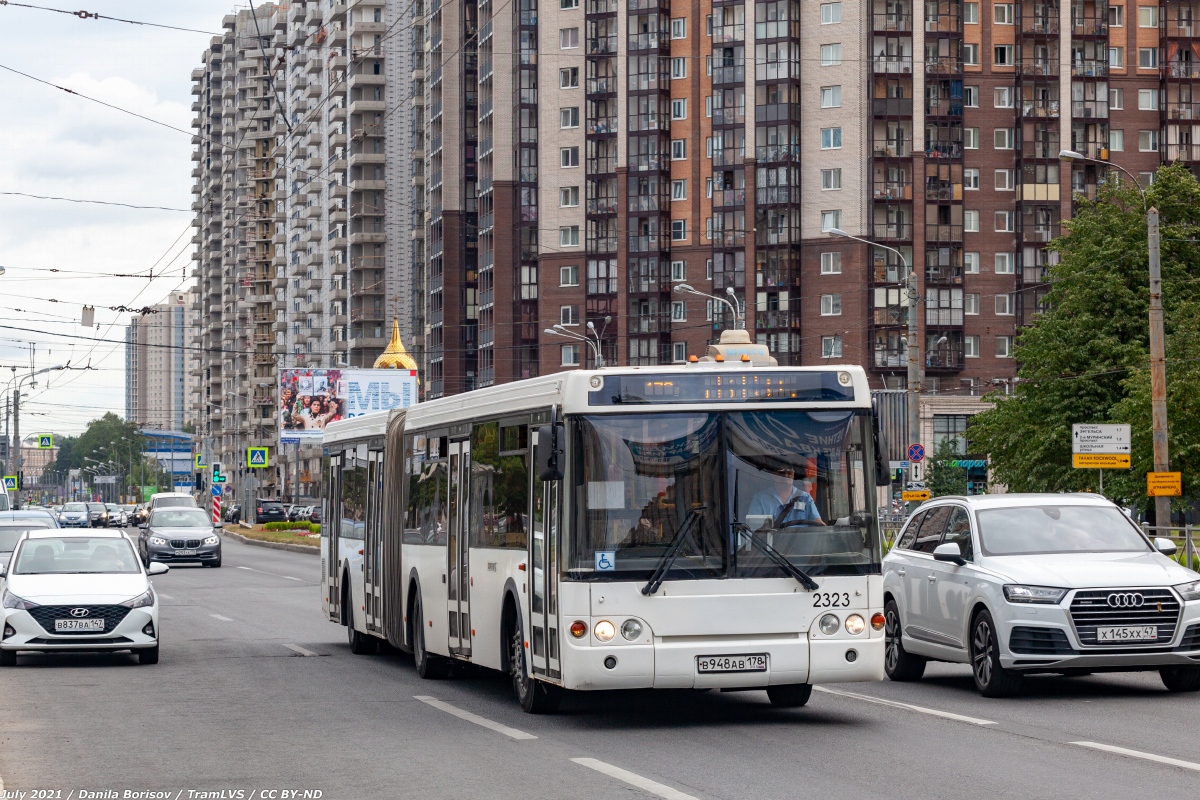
(313, 399)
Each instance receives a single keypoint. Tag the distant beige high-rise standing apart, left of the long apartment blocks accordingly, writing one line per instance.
(161, 381)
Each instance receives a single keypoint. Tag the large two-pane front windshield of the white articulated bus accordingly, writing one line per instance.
(731, 486)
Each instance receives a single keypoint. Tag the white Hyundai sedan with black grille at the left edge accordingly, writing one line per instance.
(79, 592)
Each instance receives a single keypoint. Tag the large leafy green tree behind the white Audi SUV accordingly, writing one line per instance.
(1083, 359)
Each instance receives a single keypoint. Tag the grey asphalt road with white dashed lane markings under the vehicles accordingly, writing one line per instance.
(257, 693)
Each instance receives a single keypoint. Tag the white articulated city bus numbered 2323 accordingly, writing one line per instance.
(710, 526)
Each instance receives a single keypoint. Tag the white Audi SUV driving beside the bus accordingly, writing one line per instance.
(1027, 584)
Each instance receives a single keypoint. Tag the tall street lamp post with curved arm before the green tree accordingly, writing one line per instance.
(1157, 339)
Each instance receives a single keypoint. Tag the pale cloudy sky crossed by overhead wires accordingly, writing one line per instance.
(56, 145)
